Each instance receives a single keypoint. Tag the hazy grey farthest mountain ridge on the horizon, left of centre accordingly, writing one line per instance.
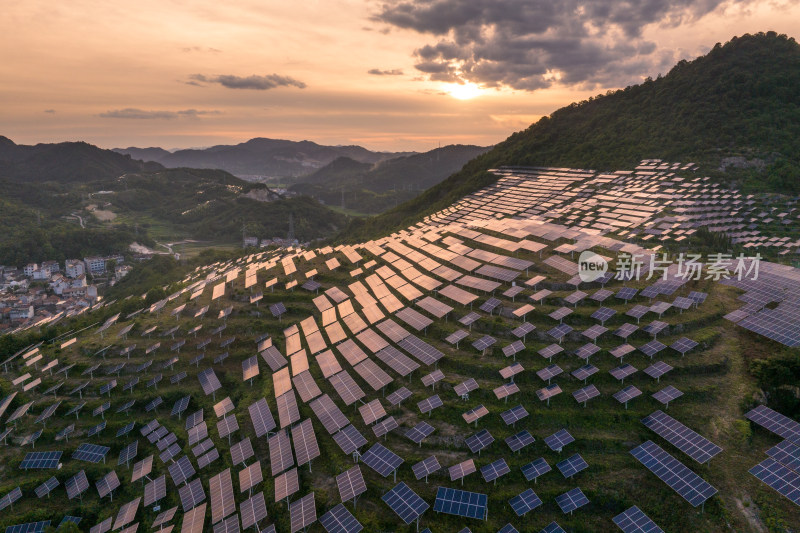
(272, 158)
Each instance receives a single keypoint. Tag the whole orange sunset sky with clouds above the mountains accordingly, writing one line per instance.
(387, 75)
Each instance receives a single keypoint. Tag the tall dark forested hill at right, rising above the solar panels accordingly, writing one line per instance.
(735, 111)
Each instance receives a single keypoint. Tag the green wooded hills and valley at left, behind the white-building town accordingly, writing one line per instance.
(52, 196)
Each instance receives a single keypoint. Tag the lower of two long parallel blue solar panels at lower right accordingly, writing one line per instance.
(686, 483)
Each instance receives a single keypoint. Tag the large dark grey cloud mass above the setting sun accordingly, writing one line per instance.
(532, 44)
